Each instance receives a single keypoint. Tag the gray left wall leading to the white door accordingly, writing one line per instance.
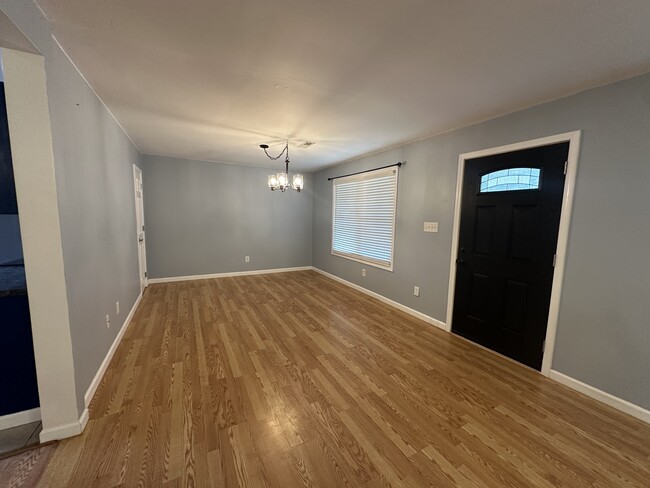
(93, 163)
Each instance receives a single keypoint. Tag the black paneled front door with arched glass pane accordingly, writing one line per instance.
(509, 224)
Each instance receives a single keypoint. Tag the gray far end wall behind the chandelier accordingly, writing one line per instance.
(203, 218)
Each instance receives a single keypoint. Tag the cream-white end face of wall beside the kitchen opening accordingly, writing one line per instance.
(34, 171)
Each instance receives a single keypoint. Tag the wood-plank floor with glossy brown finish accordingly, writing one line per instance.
(293, 379)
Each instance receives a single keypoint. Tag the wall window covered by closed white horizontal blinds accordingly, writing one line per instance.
(363, 220)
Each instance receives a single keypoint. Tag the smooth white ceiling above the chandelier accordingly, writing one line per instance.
(211, 80)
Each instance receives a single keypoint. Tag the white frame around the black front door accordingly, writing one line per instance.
(563, 234)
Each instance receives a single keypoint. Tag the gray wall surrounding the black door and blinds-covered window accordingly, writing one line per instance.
(603, 336)
